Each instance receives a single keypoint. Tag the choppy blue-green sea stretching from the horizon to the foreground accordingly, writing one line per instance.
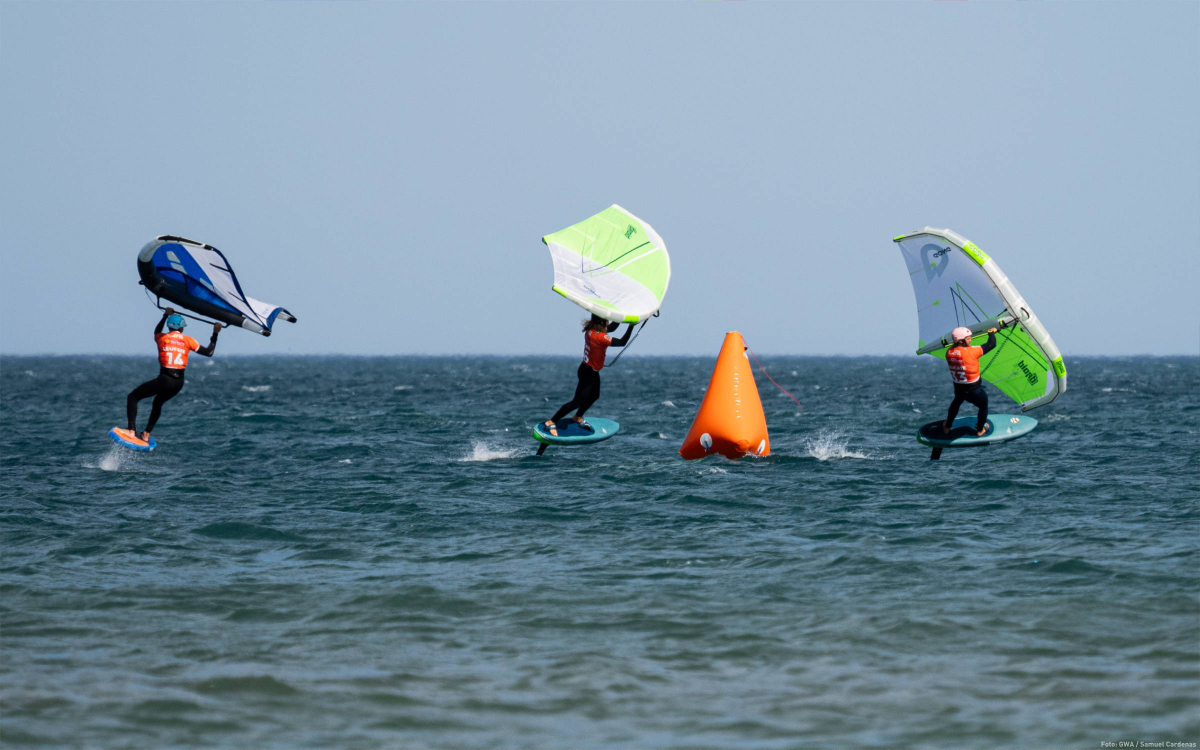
(340, 553)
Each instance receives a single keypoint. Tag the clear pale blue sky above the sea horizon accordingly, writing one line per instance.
(387, 171)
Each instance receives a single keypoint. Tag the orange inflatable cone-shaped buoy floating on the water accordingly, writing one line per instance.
(730, 421)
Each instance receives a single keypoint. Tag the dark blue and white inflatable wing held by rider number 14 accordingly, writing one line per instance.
(200, 278)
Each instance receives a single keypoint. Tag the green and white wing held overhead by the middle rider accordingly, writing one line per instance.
(614, 266)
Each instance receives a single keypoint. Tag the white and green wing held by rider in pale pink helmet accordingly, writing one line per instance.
(958, 285)
